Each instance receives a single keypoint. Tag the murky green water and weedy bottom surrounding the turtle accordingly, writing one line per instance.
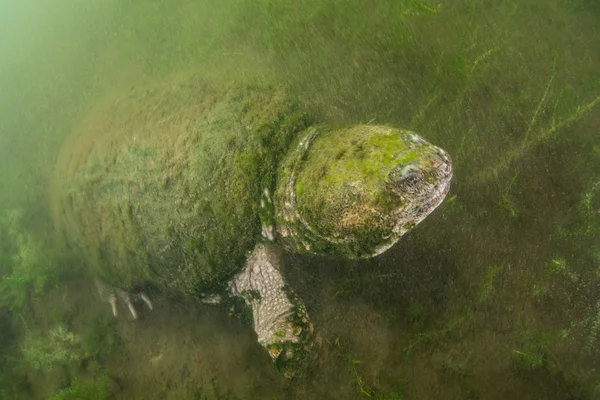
(494, 296)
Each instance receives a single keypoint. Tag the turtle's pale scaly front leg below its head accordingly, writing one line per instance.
(280, 318)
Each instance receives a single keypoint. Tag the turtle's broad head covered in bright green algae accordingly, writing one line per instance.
(354, 191)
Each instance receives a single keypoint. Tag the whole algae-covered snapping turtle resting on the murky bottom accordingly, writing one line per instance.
(181, 186)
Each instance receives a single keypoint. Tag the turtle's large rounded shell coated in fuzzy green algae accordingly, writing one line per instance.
(162, 185)
